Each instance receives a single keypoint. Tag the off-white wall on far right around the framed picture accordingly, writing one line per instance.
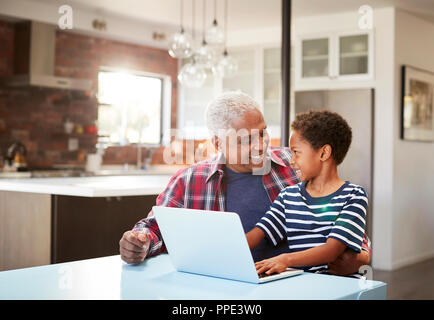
(413, 194)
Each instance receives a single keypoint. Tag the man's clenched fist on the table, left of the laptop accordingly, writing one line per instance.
(133, 247)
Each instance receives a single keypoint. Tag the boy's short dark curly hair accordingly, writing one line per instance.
(325, 127)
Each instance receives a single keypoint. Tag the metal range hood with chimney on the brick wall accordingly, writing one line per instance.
(34, 59)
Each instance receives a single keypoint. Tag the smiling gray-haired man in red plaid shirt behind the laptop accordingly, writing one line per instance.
(244, 177)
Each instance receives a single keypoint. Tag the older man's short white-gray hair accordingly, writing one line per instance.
(225, 108)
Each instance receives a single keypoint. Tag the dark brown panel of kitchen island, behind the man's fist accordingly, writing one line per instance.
(86, 228)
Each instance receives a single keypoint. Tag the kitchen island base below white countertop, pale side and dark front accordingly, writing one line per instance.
(39, 229)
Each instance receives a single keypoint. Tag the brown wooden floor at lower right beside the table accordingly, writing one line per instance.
(412, 282)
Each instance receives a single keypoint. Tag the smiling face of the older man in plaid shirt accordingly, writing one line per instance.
(245, 145)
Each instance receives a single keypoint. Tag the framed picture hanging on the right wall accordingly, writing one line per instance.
(417, 121)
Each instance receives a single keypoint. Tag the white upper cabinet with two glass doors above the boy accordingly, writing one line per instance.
(334, 60)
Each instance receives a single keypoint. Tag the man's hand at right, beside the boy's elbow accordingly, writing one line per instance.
(348, 263)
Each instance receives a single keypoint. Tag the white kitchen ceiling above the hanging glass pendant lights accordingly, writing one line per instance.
(242, 14)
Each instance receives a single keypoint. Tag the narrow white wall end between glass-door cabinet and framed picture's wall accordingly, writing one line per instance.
(383, 175)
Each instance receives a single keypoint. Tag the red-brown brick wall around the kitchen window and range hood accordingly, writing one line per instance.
(35, 116)
